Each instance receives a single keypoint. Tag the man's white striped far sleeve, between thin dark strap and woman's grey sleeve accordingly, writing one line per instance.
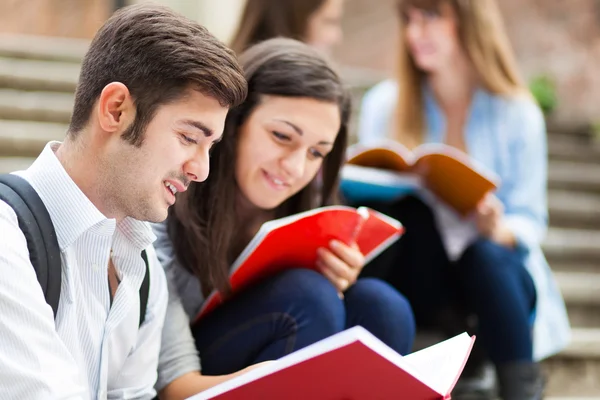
(139, 373)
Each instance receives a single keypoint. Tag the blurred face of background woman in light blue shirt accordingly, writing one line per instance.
(432, 37)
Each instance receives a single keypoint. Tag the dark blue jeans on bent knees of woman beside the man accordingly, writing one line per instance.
(295, 309)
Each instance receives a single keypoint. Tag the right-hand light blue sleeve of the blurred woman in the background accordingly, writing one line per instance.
(526, 209)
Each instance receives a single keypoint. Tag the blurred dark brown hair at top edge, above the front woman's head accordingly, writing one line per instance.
(266, 19)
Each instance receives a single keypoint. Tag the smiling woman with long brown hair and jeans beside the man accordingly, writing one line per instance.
(292, 125)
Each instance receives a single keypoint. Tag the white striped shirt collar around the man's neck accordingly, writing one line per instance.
(71, 211)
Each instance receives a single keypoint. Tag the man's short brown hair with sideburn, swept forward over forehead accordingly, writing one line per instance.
(158, 55)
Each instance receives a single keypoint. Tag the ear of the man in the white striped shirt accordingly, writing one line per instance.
(116, 110)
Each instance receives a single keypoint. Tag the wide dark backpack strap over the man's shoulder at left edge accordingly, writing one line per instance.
(36, 224)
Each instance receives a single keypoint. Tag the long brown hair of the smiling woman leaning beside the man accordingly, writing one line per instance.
(203, 222)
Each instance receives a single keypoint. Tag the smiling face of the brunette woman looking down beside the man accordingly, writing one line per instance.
(281, 147)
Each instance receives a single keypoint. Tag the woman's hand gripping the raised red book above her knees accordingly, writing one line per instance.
(341, 264)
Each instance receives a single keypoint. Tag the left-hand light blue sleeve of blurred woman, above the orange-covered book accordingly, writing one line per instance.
(376, 112)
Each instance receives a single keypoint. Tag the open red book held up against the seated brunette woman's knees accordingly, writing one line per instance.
(292, 242)
